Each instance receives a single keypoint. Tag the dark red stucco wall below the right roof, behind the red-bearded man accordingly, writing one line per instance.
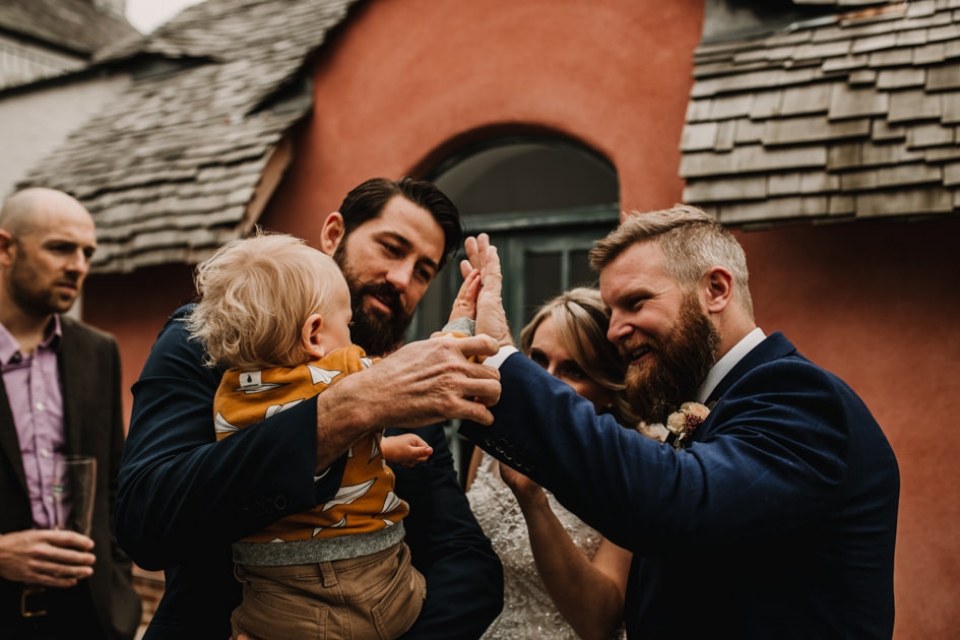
(875, 302)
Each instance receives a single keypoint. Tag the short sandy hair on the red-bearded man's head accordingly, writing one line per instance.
(693, 242)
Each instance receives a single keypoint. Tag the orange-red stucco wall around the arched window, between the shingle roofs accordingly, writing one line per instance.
(410, 81)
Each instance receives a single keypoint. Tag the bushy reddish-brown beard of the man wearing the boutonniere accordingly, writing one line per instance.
(676, 366)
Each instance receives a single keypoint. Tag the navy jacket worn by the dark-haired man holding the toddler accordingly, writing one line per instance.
(184, 498)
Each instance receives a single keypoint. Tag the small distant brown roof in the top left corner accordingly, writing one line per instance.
(76, 25)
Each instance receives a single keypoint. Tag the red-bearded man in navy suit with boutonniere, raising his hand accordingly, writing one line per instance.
(776, 517)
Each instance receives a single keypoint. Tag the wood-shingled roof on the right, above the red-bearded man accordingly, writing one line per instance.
(845, 117)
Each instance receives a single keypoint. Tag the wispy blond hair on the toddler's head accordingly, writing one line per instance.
(256, 294)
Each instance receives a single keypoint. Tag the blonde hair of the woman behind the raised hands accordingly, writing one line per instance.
(581, 321)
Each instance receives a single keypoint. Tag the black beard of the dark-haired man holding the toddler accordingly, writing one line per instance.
(377, 331)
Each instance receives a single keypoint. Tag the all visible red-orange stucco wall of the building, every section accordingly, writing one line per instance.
(407, 82)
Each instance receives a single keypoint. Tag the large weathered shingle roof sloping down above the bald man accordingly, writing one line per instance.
(173, 168)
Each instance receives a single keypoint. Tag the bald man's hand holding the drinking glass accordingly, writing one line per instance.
(46, 557)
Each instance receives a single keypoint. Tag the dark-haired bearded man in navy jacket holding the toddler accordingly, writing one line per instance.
(390, 238)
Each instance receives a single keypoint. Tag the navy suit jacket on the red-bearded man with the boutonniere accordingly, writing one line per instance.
(778, 521)
